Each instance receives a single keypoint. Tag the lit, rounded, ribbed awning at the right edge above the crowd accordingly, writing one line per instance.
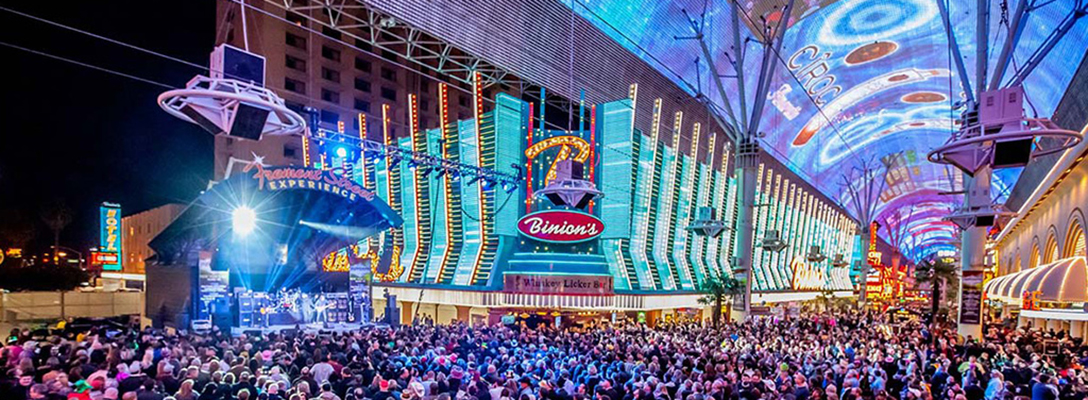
(1064, 281)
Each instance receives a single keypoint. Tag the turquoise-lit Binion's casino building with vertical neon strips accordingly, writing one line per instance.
(471, 249)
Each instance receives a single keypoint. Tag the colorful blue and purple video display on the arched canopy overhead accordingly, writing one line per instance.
(856, 80)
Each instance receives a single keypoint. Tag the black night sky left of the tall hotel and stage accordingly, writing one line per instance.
(83, 136)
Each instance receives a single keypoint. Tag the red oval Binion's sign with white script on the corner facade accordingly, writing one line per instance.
(561, 227)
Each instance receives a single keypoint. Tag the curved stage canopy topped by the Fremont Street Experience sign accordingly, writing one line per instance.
(294, 215)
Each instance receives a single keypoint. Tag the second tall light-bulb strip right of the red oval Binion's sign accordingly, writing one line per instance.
(645, 196)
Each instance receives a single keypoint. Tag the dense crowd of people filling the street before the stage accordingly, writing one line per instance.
(814, 357)
